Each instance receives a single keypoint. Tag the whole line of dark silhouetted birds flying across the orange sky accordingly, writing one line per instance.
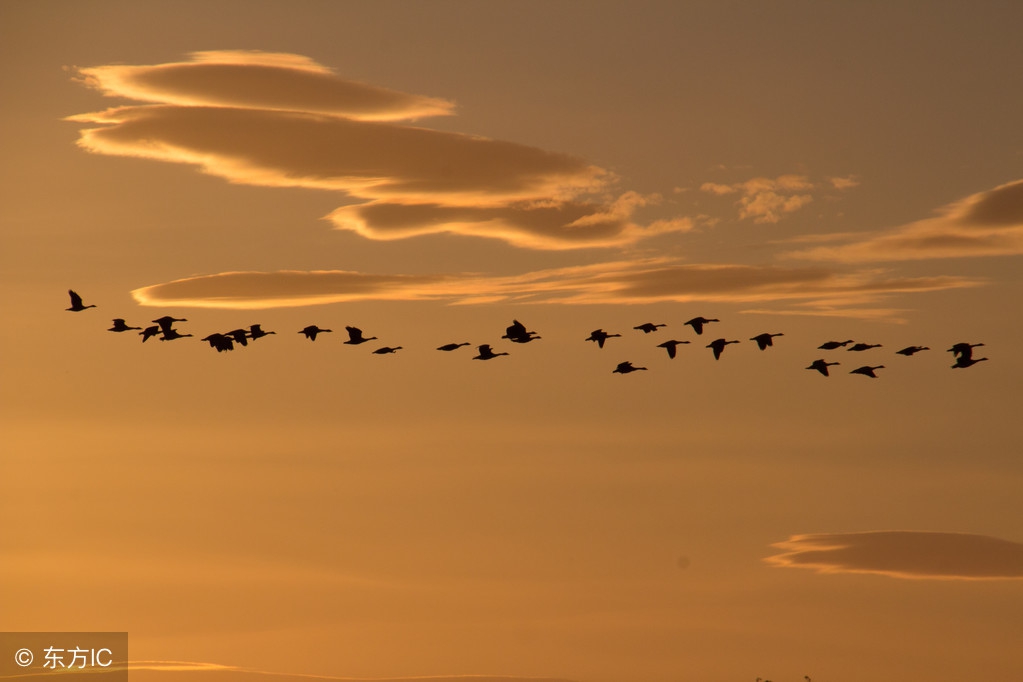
(518, 334)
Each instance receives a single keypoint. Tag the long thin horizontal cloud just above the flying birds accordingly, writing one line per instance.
(614, 283)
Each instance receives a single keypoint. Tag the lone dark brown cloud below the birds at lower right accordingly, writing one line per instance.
(905, 555)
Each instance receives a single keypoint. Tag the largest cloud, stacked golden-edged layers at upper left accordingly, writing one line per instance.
(286, 121)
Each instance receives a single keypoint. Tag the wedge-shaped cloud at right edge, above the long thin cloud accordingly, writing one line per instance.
(989, 223)
